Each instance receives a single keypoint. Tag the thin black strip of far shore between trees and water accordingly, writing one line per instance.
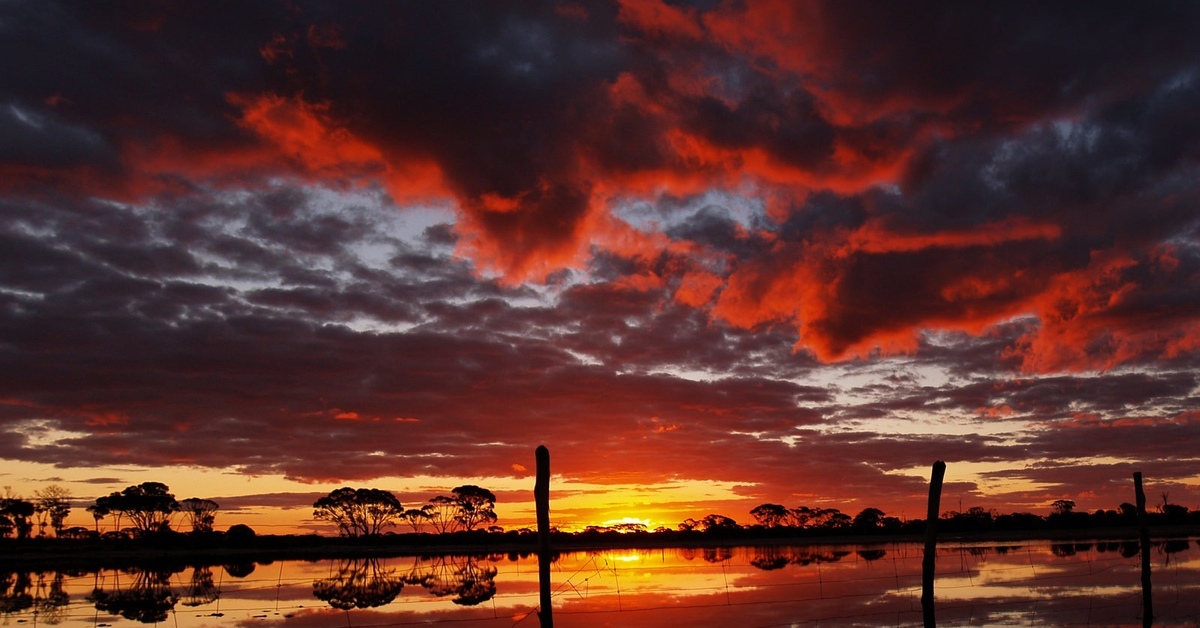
(103, 555)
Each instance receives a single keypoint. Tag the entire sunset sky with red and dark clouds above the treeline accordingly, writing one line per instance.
(711, 254)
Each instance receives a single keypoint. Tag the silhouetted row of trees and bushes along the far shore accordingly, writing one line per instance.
(151, 507)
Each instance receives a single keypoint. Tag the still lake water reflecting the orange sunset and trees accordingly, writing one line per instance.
(1028, 584)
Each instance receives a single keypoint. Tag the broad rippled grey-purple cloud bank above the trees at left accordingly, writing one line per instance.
(149, 360)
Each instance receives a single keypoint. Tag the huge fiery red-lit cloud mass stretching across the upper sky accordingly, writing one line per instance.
(775, 99)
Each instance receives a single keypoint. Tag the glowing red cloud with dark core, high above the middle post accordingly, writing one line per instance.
(871, 288)
